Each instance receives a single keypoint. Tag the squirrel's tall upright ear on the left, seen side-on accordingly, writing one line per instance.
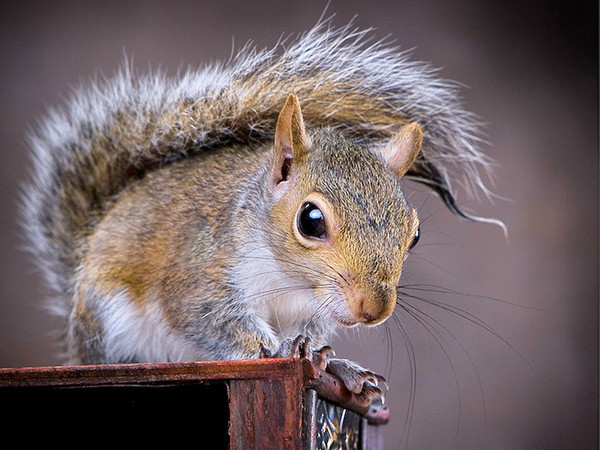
(290, 139)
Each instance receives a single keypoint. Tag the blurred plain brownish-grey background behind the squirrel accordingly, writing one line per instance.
(531, 70)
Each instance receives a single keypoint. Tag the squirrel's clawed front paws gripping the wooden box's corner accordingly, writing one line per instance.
(362, 382)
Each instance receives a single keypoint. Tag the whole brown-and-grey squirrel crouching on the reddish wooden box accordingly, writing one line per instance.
(245, 209)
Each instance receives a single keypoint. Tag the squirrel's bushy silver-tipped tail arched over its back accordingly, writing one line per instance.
(116, 130)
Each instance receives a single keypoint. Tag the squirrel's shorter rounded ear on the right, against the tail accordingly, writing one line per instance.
(403, 148)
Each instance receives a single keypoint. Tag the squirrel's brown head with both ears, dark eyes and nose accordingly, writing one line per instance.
(345, 223)
